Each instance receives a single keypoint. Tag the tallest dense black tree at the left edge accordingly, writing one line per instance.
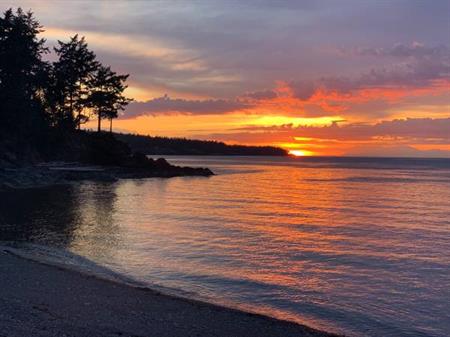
(22, 73)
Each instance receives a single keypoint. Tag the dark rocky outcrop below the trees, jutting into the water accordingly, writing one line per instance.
(83, 156)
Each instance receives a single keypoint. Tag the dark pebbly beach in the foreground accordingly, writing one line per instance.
(74, 303)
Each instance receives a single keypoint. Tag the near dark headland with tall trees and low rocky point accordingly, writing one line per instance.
(43, 105)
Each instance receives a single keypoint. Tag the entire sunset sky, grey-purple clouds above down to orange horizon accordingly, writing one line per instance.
(317, 77)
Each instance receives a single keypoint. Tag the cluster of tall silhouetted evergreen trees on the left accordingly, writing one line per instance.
(44, 103)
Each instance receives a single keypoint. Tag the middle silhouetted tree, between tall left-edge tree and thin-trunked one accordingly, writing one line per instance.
(72, 72)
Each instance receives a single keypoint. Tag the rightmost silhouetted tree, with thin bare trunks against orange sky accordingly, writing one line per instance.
(106, 94)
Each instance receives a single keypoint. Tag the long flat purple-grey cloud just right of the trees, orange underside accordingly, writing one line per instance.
(166, 105)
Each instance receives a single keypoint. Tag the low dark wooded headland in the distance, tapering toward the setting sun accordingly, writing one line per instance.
(182, 146)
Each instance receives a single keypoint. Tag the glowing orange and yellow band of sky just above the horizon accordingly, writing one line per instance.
(285, 111)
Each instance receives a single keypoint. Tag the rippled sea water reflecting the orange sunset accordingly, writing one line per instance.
(353, 245)
